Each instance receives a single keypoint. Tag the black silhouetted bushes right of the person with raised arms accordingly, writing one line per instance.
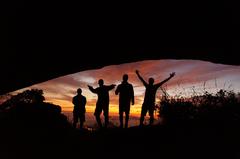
(222, 107)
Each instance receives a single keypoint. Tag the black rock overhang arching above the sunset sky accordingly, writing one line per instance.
(48, 41)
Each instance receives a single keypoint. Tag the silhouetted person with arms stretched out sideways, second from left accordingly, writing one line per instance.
(102, 102)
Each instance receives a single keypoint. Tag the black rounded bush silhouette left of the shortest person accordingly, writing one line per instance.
(28, 109)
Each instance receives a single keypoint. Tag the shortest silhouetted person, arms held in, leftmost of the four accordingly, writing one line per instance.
(79, 110)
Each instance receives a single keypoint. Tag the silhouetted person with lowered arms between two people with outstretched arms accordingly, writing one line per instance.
(126, 96)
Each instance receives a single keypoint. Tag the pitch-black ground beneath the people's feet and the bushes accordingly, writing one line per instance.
(175, 141)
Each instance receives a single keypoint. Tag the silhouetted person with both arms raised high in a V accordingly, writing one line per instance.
(149, 98)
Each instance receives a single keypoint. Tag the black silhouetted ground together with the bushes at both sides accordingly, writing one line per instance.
(29, 123)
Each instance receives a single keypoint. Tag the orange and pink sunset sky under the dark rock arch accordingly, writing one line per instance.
(190, 74)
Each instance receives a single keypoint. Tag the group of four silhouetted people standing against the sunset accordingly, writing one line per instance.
(126, 98)
